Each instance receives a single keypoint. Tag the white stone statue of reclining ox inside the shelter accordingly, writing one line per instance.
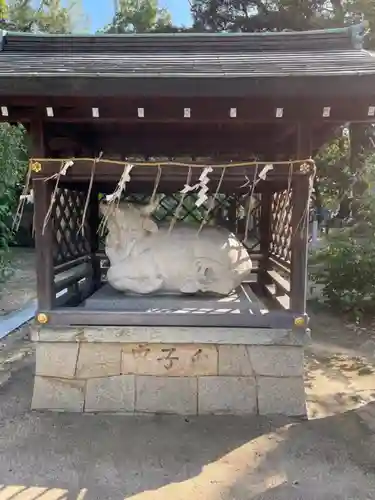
(147, 258)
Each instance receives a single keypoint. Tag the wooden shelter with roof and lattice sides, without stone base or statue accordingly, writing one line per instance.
(170, 102)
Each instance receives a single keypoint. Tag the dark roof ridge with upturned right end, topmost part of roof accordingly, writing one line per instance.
(327, 39)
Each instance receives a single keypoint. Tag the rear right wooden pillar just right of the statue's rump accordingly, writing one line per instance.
(265, 236)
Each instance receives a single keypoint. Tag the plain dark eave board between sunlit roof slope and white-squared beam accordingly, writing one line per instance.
(268, 86)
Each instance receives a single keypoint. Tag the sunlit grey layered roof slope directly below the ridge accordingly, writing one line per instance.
(189, 65)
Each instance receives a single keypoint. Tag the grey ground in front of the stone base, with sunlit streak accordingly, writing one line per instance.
(49, 456)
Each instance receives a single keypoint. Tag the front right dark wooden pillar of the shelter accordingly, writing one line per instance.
(300, 225)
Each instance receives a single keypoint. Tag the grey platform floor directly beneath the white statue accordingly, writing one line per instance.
(241, 301)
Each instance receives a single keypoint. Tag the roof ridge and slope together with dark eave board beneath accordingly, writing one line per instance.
(316, 64)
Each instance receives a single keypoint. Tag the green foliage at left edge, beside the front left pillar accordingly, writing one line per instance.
(13, 166)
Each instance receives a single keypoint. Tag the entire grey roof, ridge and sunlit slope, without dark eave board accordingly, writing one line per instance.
(326, 52)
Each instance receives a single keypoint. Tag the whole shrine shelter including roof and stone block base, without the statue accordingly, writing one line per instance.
(254, 107)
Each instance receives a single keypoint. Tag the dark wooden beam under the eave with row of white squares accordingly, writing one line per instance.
(203, 110)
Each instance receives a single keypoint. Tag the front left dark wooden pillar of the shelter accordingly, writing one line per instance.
(43, 239)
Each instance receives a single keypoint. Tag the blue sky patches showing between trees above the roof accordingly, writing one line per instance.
(100, 11)
